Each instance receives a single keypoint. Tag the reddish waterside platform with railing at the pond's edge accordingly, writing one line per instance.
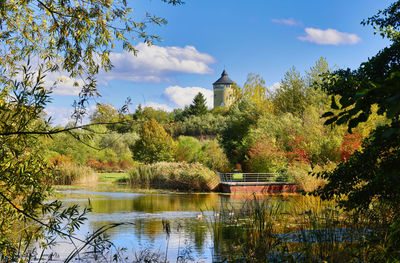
(256, 182)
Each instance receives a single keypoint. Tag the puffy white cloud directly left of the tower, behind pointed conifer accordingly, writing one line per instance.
(184, 96)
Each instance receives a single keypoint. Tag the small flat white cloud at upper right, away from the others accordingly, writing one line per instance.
(329, 37)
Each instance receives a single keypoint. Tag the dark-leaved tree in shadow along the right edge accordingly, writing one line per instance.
(372, 173)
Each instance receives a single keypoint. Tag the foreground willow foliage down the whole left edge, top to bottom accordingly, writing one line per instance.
(74, 38)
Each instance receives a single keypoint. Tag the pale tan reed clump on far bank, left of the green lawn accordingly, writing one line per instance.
(70, 173)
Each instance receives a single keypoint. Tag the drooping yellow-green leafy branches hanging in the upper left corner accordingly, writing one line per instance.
(74, 38)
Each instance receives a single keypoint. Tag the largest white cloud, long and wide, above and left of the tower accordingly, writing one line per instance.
(158, 64)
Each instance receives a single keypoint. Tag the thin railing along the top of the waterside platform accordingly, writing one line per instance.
(254, 177)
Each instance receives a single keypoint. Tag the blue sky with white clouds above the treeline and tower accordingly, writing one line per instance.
(204, 37)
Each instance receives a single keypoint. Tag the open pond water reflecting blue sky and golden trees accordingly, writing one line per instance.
(189, 215)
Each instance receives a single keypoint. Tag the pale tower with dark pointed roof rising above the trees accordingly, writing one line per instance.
(223, 92)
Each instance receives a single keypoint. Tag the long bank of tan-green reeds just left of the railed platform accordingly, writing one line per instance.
(176, 176)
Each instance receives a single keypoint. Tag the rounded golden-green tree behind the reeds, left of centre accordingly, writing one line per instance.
(154, 144)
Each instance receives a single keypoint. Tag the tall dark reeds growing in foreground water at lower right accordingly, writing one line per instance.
(265, 231)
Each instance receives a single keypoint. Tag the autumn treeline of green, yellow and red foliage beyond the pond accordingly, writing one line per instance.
(274, 131)
